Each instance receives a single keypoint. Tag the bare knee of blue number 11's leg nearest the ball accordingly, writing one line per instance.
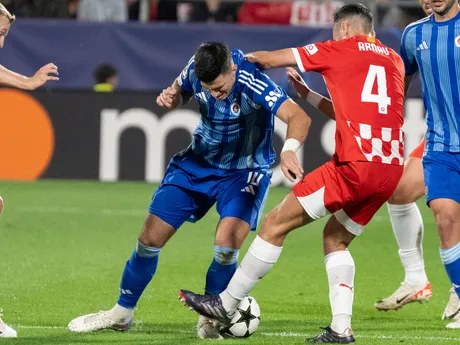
(231, 232)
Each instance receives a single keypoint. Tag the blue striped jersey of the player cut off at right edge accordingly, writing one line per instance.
(433, 49)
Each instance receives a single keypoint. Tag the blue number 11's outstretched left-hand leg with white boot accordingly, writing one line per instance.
(171, 206)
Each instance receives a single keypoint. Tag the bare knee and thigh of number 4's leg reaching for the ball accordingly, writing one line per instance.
(287, 216)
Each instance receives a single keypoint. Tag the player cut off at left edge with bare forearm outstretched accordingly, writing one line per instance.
(9, 78)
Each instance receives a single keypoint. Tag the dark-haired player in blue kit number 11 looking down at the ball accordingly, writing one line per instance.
(227, 164)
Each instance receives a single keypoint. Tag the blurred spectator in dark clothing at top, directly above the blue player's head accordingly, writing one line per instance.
(215, 11)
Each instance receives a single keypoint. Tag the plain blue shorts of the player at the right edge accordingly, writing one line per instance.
(442, 175)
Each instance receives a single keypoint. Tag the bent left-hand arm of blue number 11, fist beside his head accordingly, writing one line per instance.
(180, 91)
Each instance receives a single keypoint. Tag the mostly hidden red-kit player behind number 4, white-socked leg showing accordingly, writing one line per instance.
(405, 216)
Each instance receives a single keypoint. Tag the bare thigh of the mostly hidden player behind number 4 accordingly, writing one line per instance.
(411, 187)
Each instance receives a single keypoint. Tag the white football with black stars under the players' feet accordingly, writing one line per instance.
(245, 321)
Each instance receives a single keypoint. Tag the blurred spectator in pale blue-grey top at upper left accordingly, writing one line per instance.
(103, 10)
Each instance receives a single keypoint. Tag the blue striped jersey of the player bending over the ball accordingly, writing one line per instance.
(236, 133)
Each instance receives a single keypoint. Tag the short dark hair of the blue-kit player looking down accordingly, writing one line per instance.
(211, 60)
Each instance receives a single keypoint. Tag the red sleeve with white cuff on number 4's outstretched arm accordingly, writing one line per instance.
(313, 57)
